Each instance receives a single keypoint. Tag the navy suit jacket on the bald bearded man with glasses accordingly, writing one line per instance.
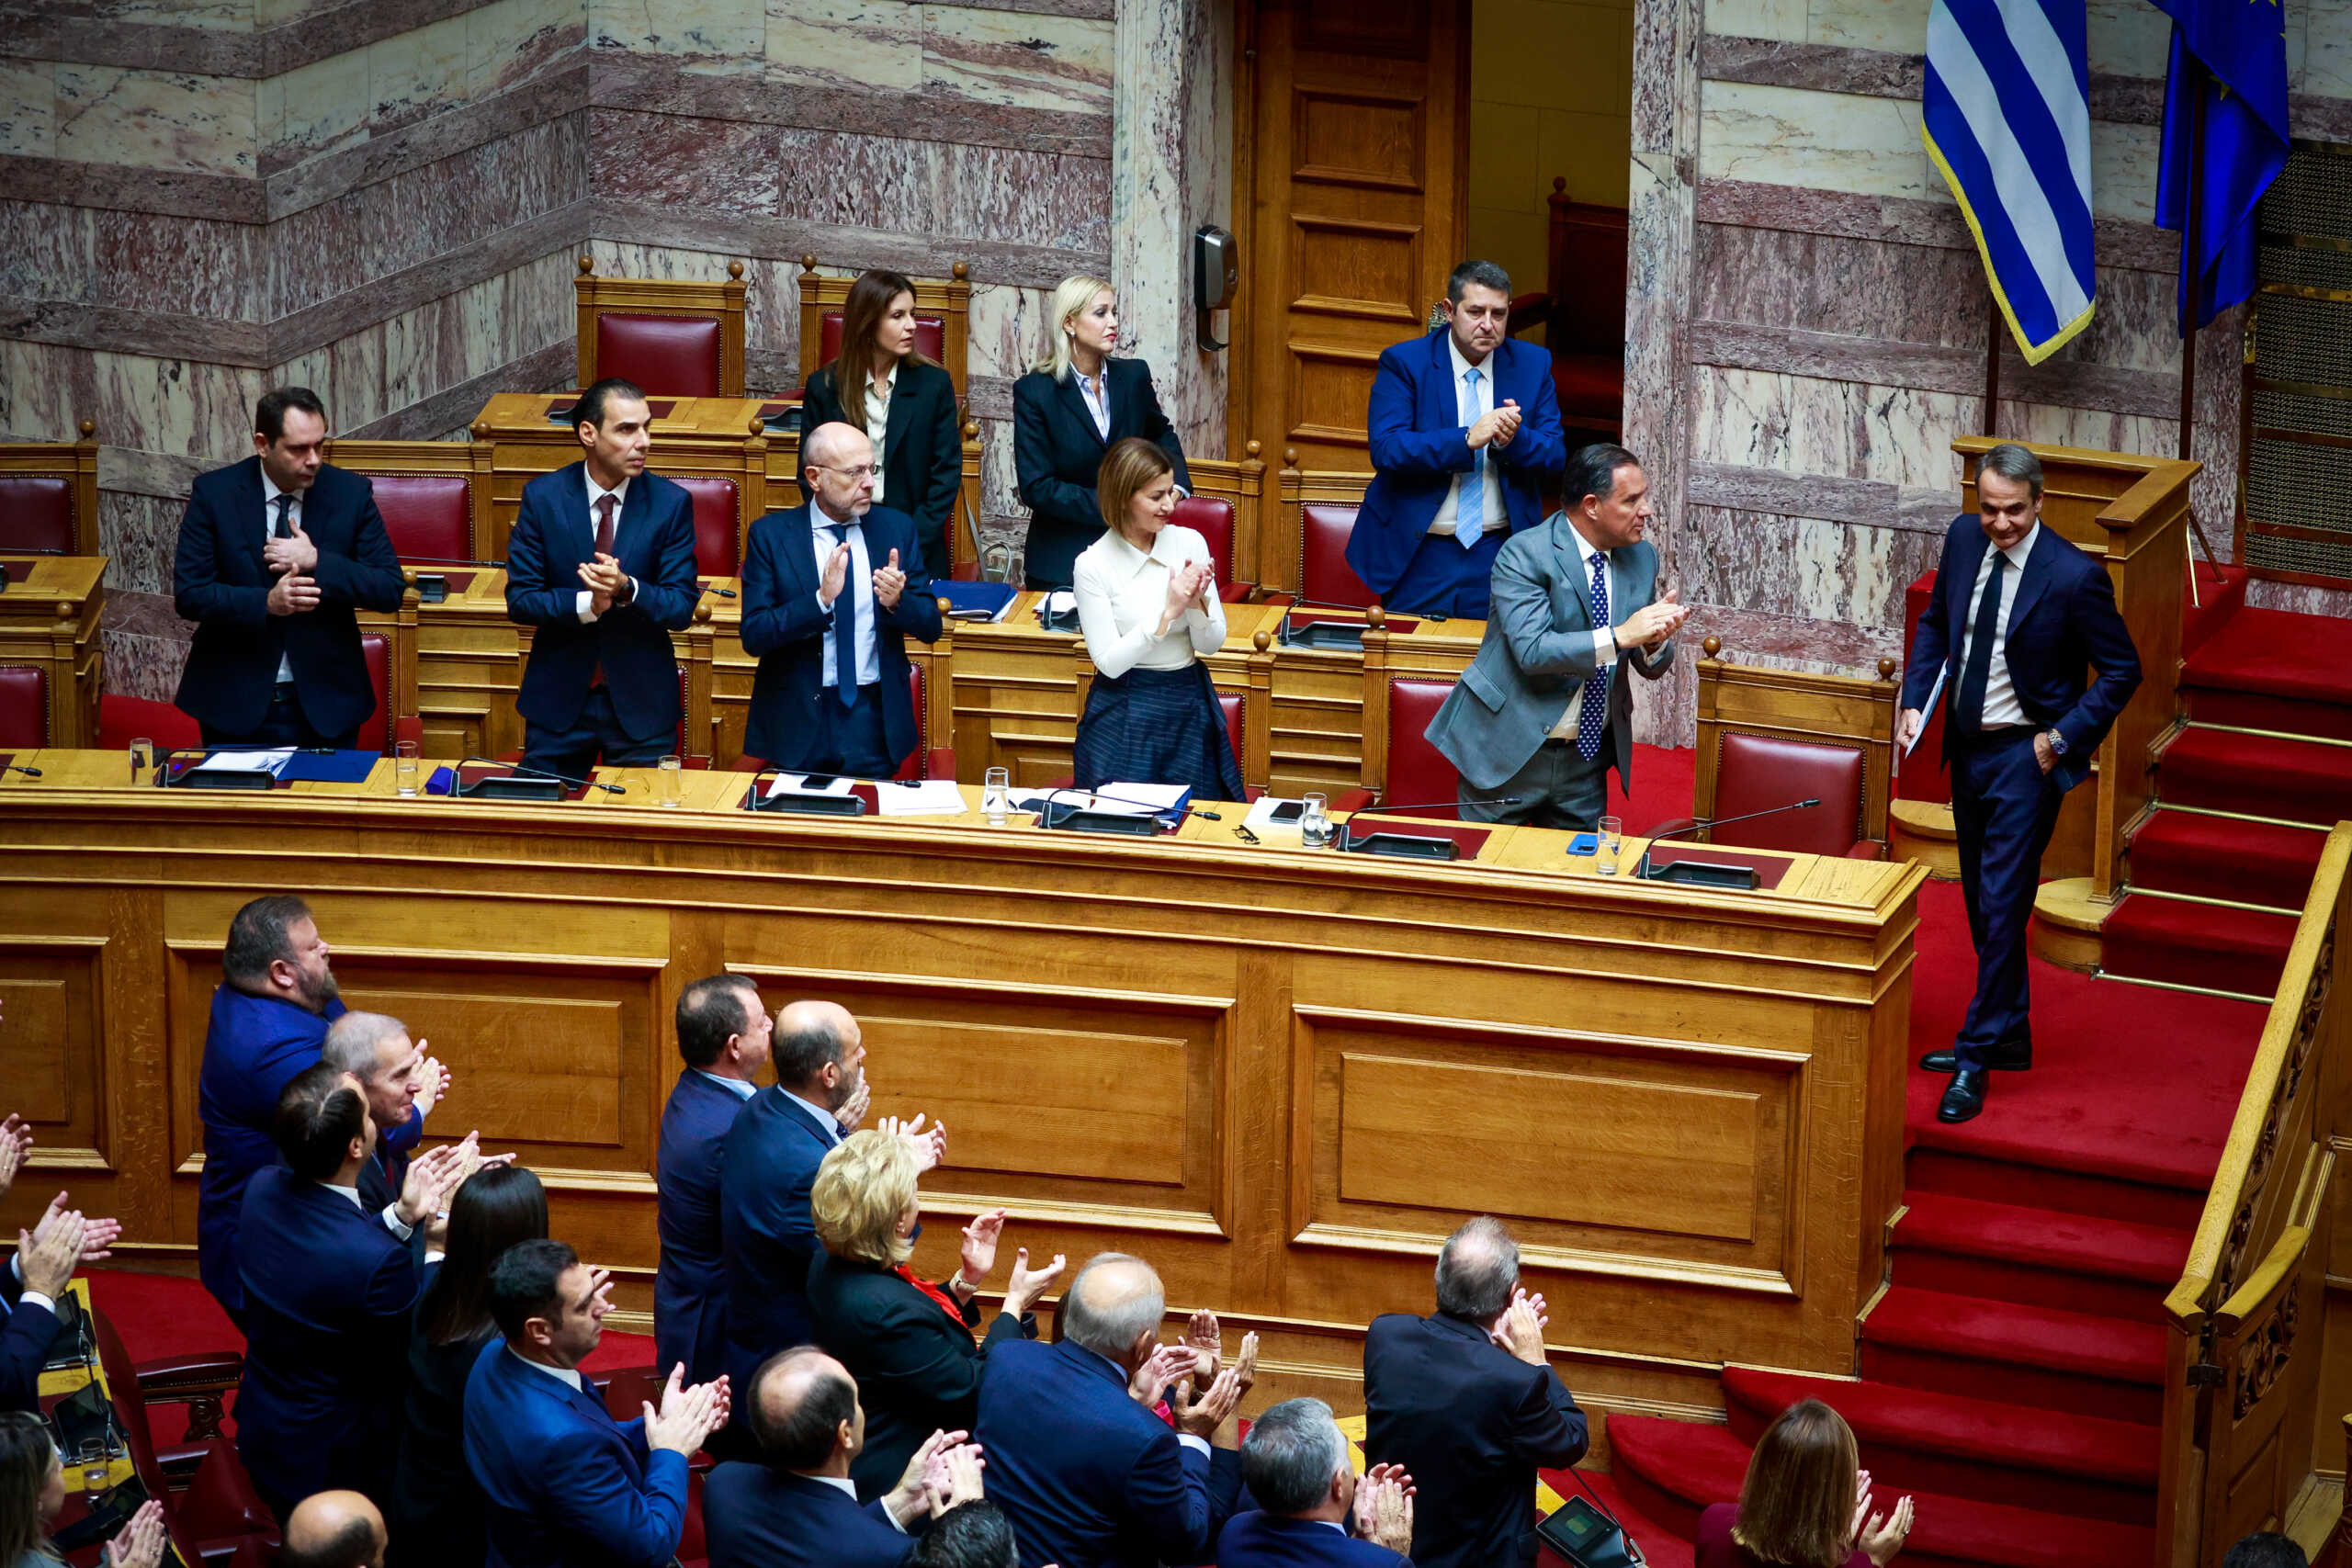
(787, 631)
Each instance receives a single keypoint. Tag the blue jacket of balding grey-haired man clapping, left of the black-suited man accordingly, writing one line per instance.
(1085, 1473)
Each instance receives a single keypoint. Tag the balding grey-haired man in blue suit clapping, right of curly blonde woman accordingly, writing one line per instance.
(1076, 1456)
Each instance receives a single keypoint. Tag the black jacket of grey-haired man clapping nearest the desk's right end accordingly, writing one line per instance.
(1471, 1423)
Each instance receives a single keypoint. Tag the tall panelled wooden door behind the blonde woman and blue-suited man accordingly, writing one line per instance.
(1351, 175)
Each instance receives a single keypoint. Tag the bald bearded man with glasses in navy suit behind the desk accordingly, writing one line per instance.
(827, 589)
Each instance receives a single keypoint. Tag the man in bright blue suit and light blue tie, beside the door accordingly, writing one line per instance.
(1464, 436)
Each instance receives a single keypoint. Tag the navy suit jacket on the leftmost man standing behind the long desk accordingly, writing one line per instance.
(225, 587)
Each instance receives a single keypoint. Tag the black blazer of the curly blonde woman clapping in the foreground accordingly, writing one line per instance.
(918, 1374)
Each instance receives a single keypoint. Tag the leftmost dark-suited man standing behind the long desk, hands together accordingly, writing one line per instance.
(274, 558)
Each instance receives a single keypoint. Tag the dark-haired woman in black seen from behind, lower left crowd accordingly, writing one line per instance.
(436, 1501)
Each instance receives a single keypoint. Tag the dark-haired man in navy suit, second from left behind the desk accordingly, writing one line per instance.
(601, 568)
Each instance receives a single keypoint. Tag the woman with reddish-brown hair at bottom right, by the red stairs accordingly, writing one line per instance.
(1805, 1503)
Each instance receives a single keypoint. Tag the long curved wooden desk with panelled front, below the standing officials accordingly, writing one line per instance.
(1281, 1076)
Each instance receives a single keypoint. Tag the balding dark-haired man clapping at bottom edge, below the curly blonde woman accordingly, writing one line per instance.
(796, 1508)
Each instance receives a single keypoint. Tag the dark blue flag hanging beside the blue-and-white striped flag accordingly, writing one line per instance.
(2243, 86)
